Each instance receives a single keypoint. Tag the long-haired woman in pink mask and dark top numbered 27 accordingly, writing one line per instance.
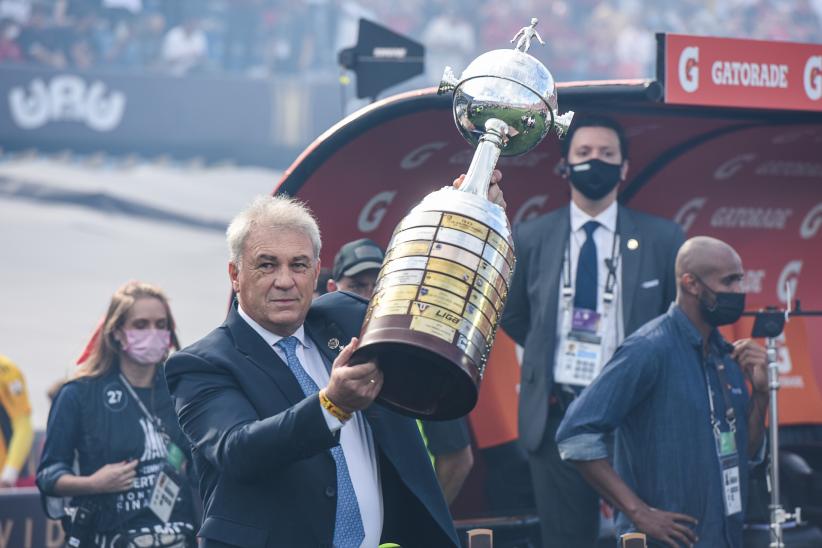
(113, 445)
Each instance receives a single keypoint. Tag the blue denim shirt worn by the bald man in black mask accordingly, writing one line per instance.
(653, 394)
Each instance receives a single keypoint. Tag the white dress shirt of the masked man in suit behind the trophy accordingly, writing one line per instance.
(611, 327)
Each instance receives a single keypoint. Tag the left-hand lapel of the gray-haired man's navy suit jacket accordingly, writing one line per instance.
(255, 349)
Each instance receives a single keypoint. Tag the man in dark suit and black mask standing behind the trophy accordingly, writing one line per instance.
(587, 275)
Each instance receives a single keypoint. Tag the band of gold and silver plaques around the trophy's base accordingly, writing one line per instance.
(447, 274)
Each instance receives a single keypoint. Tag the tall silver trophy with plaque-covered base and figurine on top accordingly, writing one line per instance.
(443, 284)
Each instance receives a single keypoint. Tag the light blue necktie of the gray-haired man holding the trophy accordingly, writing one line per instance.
(348, 528)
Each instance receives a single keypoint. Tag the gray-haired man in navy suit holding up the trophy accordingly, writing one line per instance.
(288, 448)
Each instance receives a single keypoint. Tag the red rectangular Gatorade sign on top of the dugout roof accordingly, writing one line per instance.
(727, 72)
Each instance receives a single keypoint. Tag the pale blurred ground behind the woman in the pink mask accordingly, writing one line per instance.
(72, 231)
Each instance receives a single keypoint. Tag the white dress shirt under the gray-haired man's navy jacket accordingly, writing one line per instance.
(355, 435)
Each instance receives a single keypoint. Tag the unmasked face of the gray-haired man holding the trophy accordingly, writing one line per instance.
(276, 277)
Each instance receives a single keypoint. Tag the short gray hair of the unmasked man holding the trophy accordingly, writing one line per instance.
(279, 211)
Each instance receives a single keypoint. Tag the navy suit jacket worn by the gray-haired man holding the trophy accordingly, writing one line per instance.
(261, 447)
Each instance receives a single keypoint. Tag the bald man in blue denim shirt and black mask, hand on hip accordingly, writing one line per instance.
(686, 427)
